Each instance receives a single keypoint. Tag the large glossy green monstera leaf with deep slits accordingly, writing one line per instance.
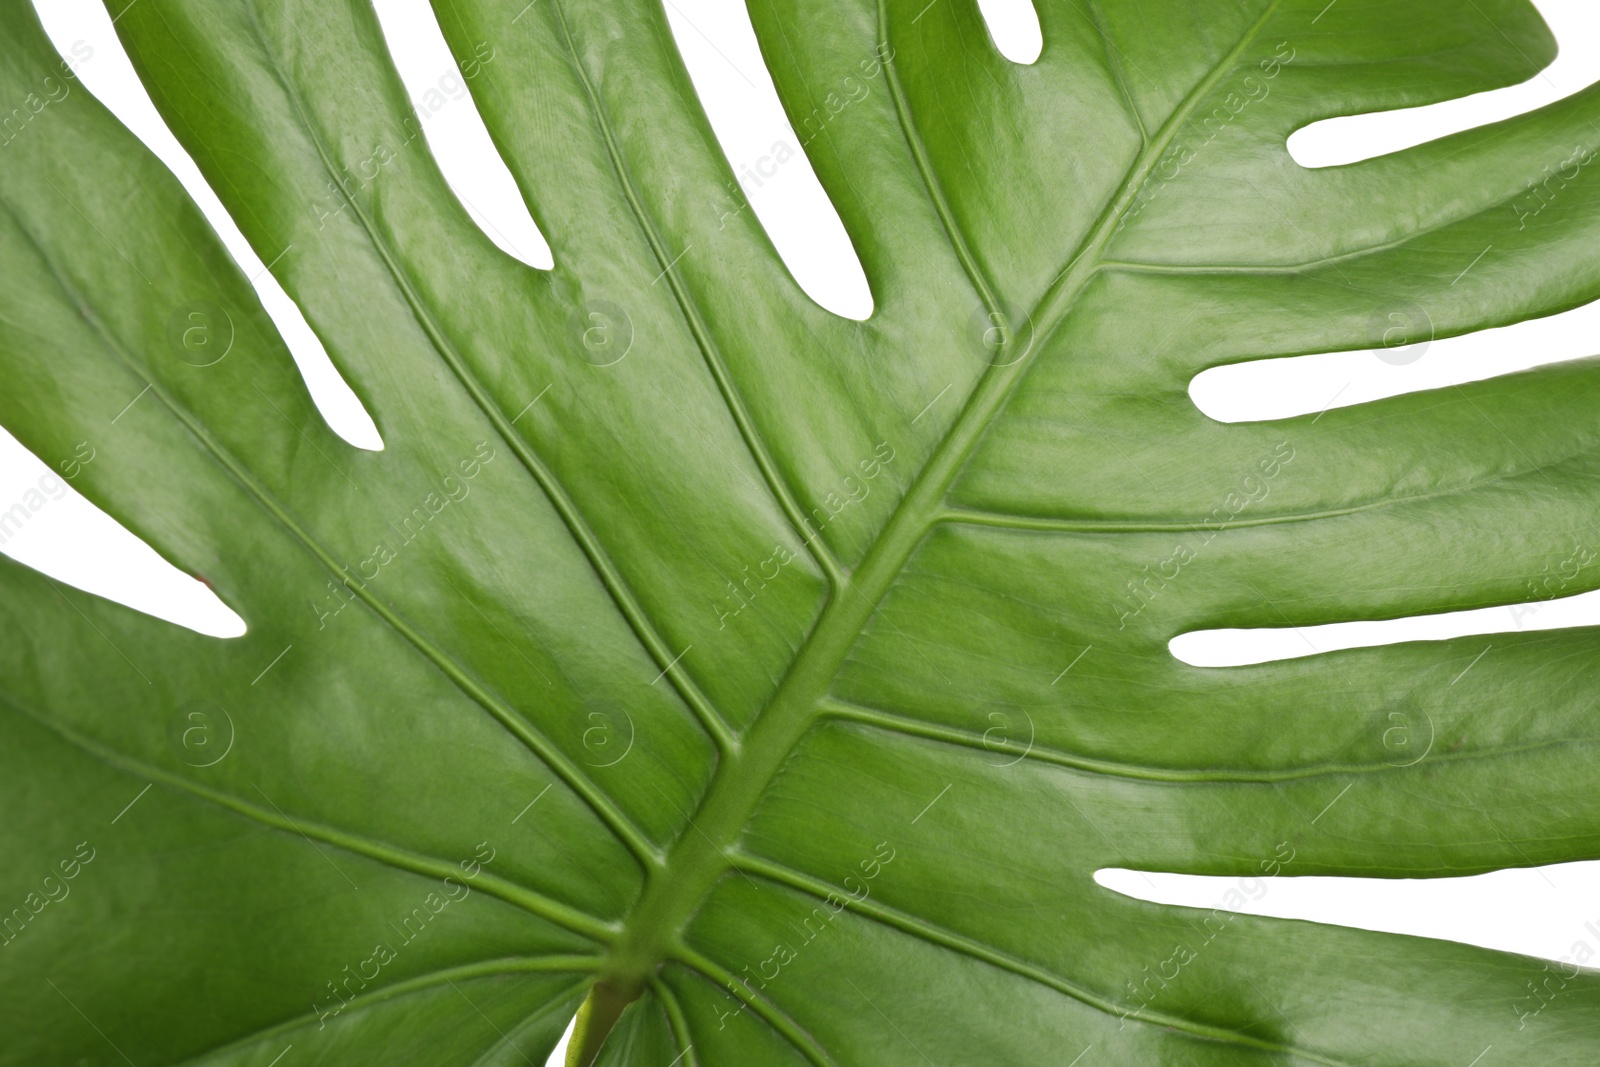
(767, 682)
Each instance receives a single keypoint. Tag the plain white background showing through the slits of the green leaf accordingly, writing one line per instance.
(1540, 913)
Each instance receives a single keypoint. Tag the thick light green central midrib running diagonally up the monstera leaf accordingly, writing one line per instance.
(700, 860)
